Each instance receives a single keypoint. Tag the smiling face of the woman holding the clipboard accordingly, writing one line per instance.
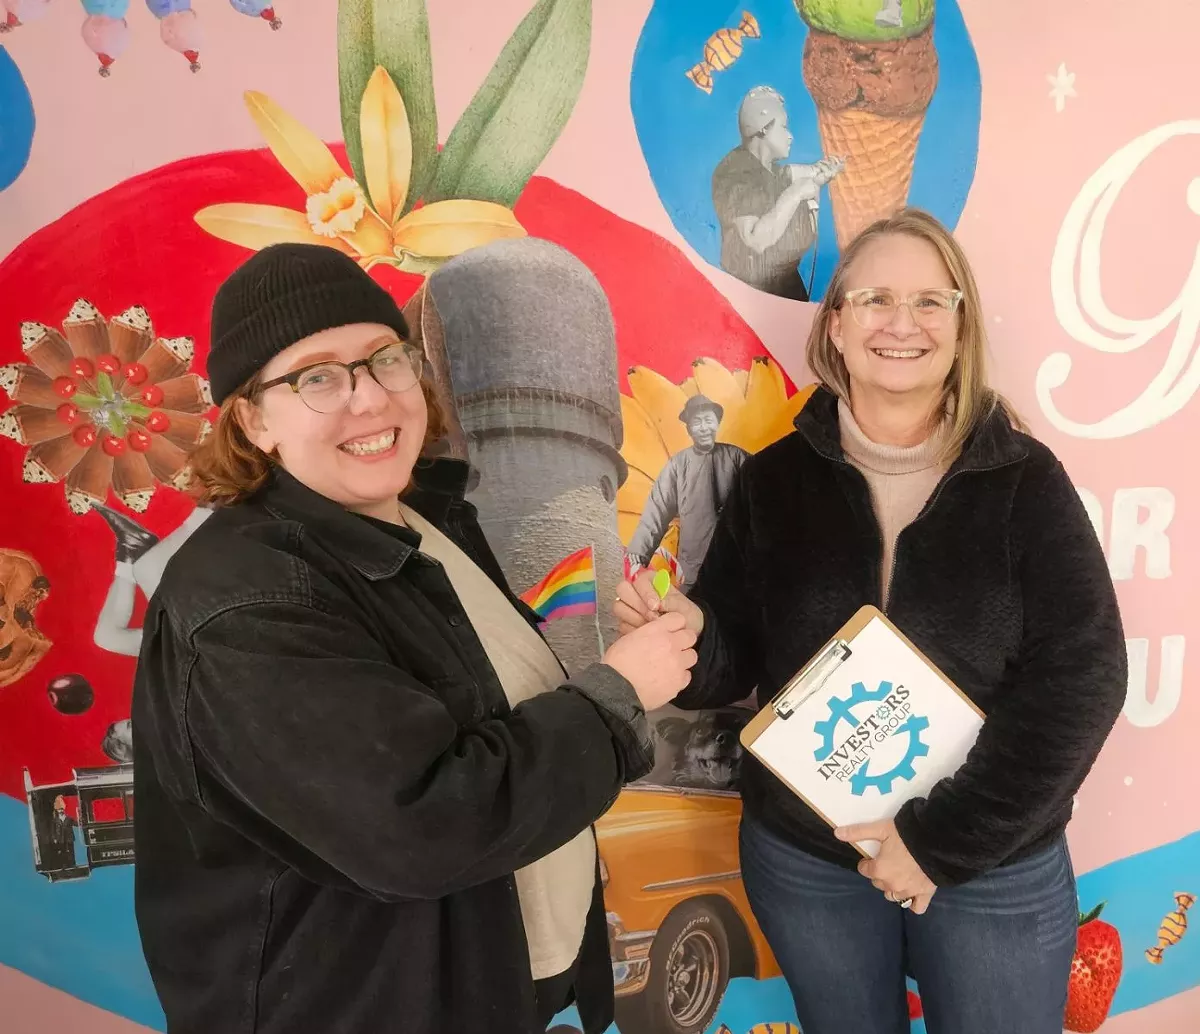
(903, 358)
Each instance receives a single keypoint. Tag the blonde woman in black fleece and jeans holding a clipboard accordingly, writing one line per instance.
(910, 484)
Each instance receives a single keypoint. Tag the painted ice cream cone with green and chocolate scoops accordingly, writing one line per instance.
(872, 70)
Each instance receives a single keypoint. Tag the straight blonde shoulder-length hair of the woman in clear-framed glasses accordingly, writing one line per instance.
(967, 396)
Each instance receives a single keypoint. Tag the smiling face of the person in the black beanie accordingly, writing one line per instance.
(361, 456)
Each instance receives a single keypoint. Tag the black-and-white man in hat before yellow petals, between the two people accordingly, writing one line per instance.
(692, 488)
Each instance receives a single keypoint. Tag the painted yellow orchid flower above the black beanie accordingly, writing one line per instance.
(339, 213)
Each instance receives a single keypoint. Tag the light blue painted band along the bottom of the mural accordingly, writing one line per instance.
(82, 937)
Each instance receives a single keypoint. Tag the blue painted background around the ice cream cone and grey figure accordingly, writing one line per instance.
(686, 133)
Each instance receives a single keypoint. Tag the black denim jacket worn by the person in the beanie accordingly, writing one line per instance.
(333, 793)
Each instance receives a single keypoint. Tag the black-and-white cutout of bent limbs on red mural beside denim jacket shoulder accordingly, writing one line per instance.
(141, 560)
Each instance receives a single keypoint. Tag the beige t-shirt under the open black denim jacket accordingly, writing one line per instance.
(555, 892)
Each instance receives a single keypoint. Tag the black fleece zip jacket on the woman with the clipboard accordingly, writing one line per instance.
(1000, 581)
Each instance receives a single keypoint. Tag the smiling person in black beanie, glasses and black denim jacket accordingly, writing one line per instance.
(365, 784)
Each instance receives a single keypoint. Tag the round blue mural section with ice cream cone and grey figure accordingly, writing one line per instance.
(855, 107)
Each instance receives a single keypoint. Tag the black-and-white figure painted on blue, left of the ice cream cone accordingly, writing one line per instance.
(769, 209)
